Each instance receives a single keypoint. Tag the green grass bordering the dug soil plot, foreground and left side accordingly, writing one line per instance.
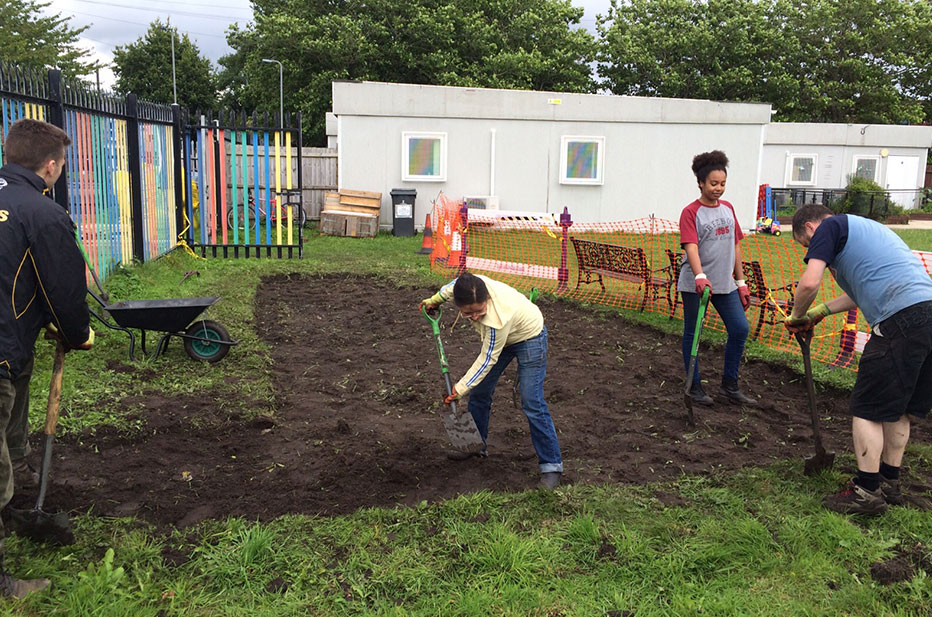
(755, 542)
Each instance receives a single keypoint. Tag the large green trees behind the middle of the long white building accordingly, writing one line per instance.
(528, 44)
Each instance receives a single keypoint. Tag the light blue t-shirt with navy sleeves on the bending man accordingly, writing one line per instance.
(871, 264)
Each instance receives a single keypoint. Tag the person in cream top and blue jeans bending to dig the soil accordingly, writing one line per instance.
(511, 327)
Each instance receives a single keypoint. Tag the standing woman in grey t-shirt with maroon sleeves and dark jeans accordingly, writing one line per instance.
(709, 234)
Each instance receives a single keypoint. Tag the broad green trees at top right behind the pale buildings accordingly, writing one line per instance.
(814, 60)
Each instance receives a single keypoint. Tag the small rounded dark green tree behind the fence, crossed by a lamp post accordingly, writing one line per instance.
(145, 68)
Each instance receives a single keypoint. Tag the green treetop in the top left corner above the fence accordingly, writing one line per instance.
(29, 38)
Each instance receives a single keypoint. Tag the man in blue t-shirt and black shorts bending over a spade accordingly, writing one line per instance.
(884, 279)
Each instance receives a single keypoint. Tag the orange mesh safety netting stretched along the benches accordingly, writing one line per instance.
(634, 265)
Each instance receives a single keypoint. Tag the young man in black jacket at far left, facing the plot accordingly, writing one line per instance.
(42, 282)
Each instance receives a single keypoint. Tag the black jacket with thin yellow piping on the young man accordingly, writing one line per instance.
(42, 276)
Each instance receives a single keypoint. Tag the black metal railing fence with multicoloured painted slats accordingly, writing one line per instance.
(141, 178)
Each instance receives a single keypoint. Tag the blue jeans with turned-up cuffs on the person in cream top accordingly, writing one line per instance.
(532, 369)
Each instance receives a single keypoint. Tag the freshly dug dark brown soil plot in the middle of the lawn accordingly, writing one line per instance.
(356, 422)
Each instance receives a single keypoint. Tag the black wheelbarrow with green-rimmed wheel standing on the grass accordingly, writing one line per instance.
(204, 340)
